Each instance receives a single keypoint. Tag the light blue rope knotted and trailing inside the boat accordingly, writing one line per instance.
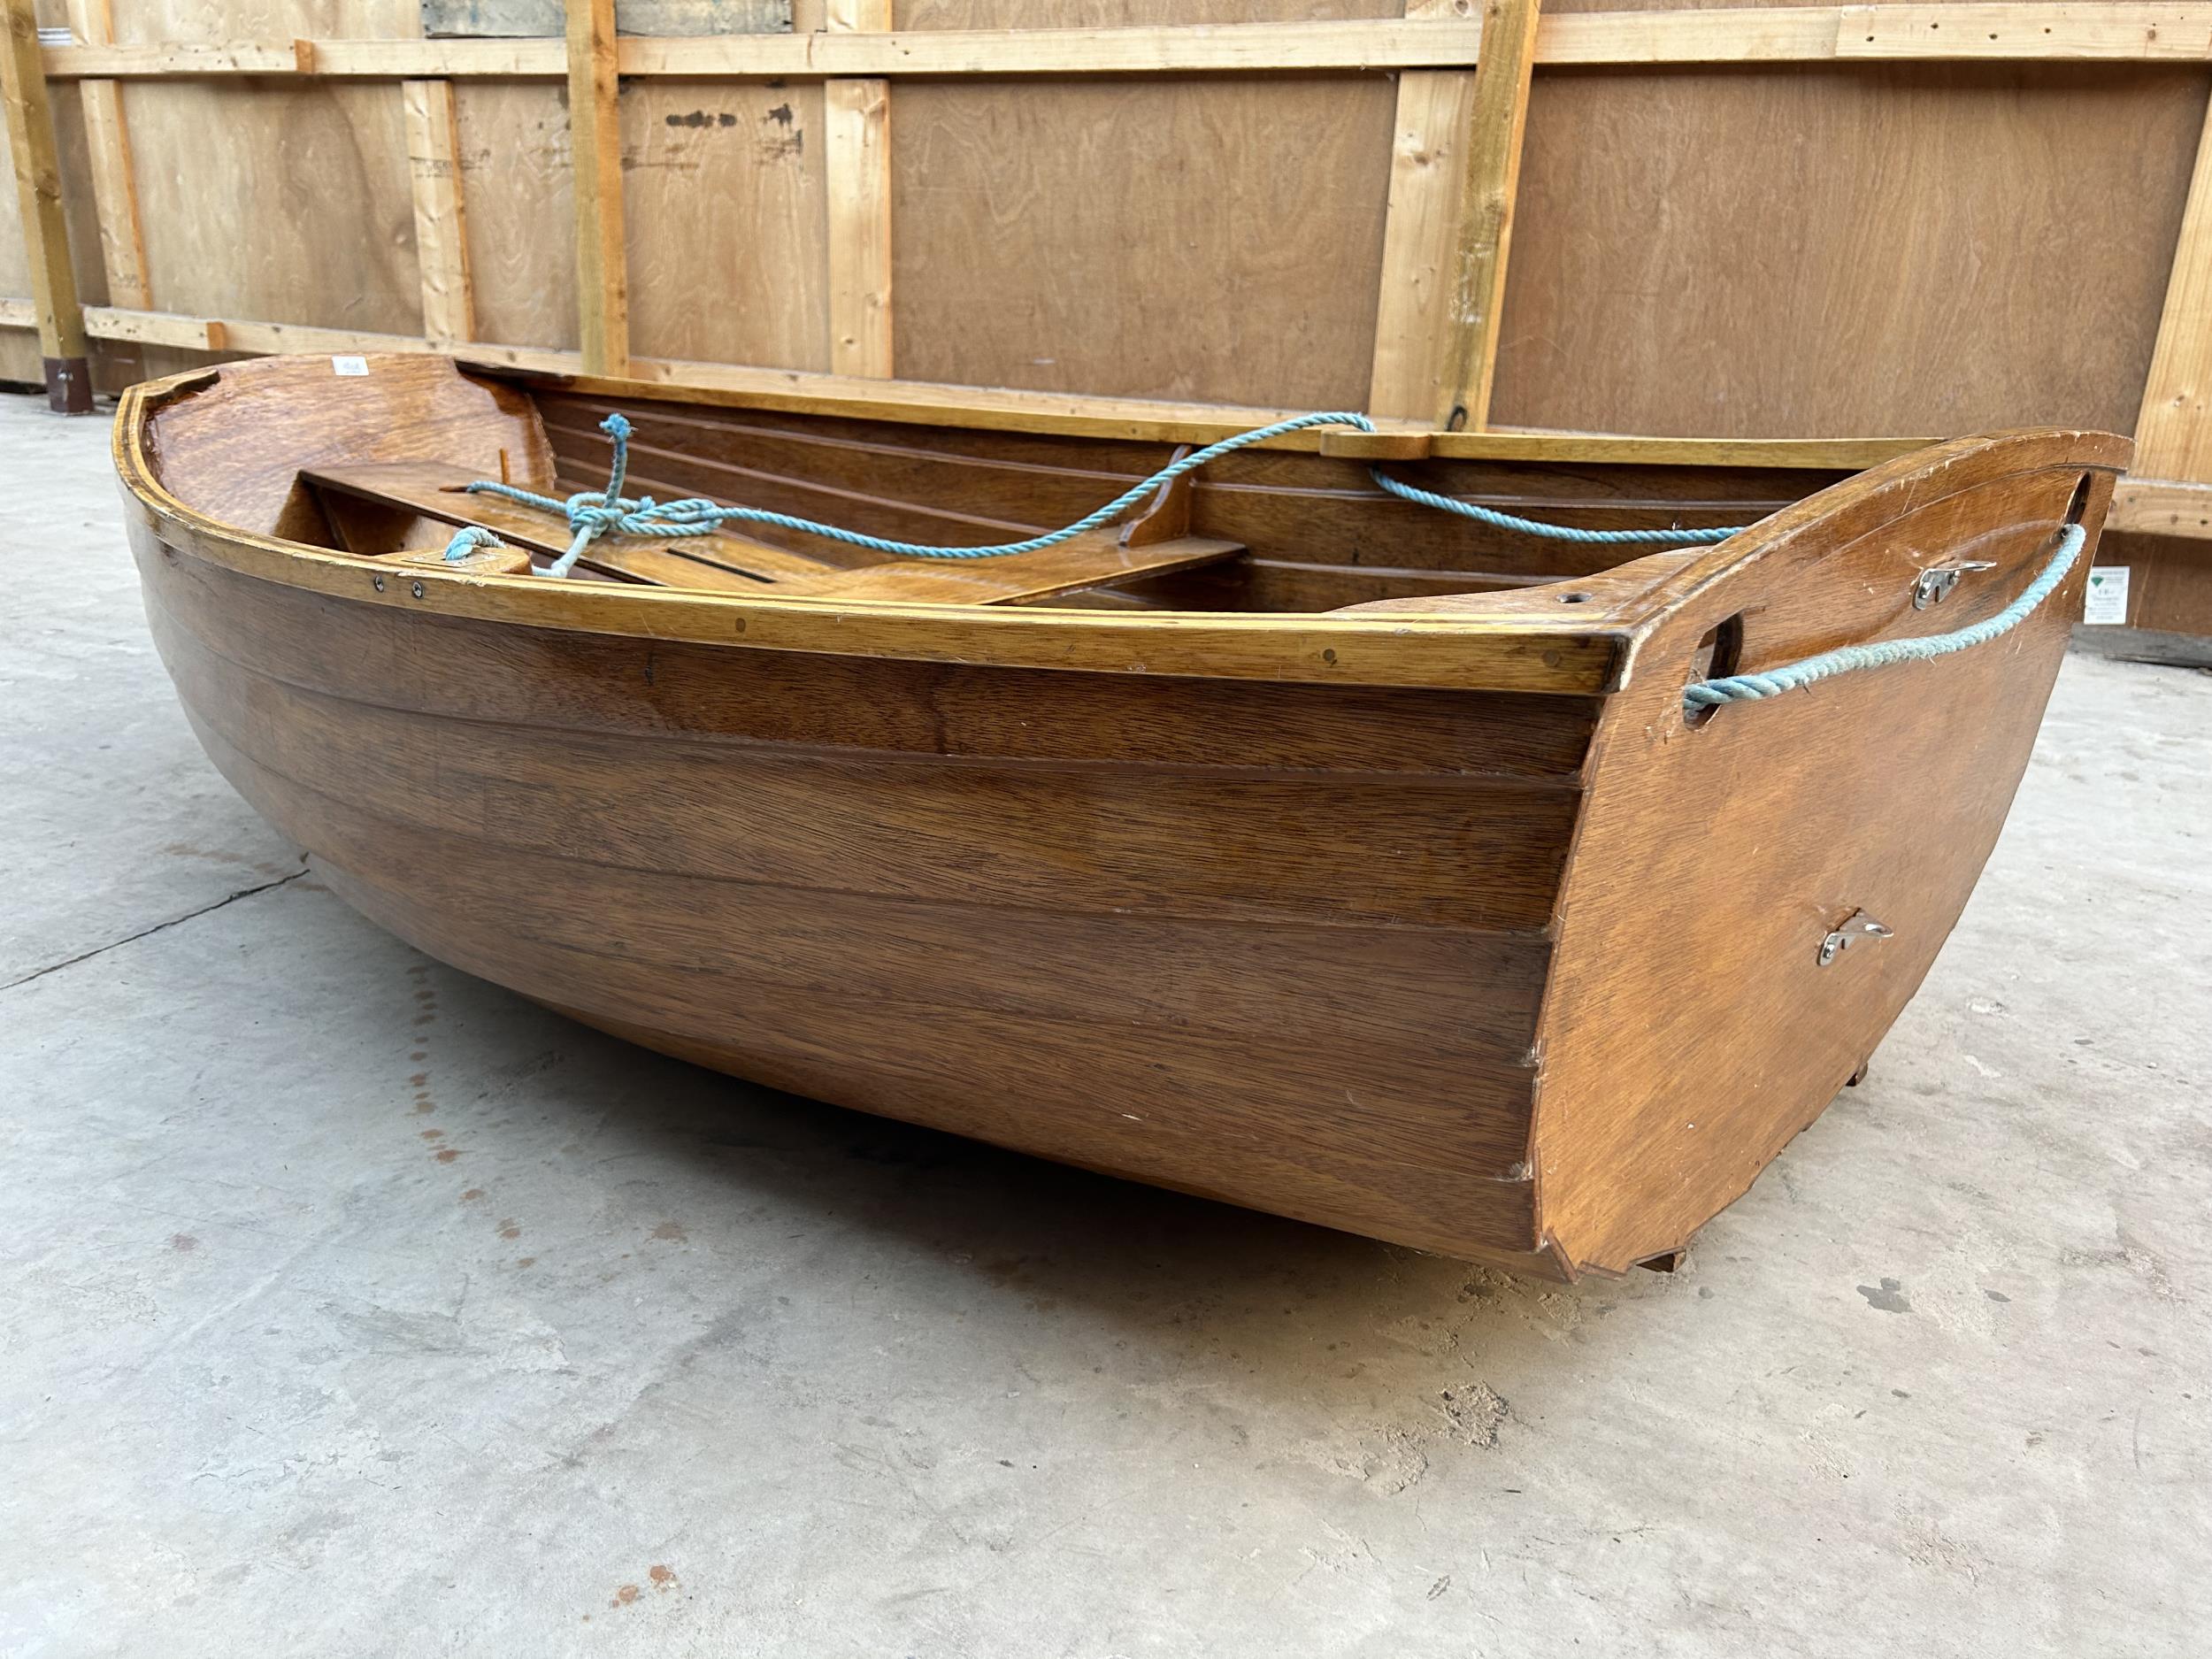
(596, 512)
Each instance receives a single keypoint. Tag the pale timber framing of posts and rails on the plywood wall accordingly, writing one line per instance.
(1463, 96)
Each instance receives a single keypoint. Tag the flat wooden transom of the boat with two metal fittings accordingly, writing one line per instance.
(1689, 1030)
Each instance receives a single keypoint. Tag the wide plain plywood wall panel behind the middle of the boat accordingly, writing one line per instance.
(1167, 238)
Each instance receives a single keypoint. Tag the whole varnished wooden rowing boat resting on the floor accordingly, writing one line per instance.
(1284, 844)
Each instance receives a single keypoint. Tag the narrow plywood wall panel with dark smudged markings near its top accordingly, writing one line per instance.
(724, 202)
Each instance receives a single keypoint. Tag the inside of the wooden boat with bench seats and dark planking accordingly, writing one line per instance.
(1295, 530)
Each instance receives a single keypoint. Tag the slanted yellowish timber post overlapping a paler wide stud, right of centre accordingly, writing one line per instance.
(1485, 222)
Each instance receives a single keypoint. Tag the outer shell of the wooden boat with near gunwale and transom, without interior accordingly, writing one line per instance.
(634, 751)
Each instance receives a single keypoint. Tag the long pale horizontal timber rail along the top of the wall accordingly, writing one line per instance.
(2010, 32)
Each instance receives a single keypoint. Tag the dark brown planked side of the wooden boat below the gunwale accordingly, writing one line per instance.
(1030, 908)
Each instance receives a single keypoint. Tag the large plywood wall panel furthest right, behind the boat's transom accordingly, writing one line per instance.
(1824, 251)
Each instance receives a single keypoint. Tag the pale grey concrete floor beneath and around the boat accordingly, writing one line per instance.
(353, 1306)
